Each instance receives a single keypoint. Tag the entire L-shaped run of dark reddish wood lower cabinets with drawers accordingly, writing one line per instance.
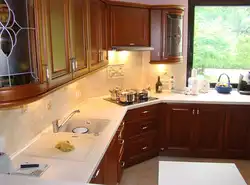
(188, 130)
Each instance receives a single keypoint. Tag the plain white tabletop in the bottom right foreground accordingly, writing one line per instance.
(189, 173)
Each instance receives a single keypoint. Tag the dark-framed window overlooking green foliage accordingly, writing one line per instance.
(219, 39)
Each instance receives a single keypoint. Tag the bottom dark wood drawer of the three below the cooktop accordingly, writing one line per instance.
(141, 144)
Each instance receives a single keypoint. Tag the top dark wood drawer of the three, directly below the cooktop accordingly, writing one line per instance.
(141, 113)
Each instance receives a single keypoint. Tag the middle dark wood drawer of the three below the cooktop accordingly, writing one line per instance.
(135, 128)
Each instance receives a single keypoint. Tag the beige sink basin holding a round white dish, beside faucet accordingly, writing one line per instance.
(92, 126)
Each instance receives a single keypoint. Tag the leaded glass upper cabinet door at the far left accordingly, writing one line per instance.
(18, 43)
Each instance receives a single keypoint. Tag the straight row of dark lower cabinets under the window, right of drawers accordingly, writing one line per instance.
(202, 130)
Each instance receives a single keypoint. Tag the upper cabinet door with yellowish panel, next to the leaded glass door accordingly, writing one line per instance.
(58, 50)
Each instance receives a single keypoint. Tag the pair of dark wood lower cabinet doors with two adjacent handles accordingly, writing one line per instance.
(195, 130)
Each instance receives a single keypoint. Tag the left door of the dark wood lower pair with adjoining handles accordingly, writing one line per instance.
(179, 127)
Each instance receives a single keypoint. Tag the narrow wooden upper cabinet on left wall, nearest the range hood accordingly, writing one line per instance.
(98, 28)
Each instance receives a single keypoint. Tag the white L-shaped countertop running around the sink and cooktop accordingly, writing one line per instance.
(75, 171)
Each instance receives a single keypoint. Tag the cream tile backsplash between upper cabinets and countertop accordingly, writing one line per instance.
(19, 126)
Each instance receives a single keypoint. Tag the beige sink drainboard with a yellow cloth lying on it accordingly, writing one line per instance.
(45, 147)
